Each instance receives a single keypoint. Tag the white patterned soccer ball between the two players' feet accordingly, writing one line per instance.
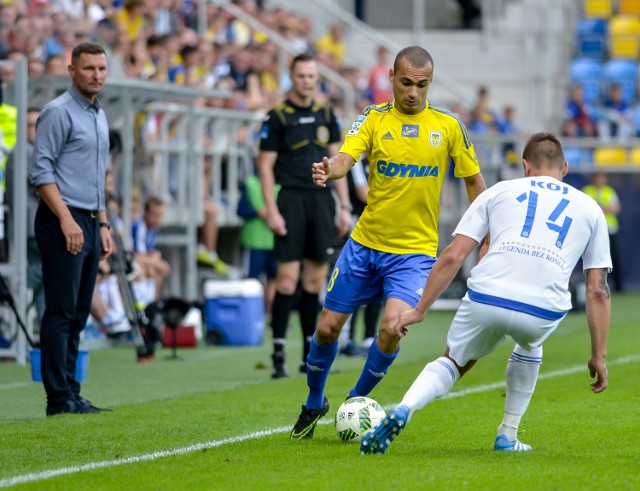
(356, 416)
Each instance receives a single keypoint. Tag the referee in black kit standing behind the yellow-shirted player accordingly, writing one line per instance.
(296, 133)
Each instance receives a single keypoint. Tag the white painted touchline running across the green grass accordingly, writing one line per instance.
(40, 476)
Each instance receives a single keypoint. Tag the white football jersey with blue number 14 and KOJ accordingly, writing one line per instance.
(540, 227)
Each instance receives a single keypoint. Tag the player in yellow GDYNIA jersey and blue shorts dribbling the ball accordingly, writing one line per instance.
(394, 245)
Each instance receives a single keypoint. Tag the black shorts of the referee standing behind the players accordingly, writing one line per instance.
(310, 217)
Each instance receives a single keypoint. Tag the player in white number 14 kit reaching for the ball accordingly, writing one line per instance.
(539, 229)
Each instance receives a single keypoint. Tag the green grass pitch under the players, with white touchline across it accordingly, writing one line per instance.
(213, 419)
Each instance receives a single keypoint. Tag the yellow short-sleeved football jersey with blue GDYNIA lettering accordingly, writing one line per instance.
(408, 159)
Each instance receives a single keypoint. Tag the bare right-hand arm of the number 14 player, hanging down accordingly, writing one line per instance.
(598, 318)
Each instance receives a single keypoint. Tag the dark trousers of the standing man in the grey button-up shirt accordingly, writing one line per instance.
(68, 282)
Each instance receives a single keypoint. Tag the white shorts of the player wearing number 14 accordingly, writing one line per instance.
(478, 329)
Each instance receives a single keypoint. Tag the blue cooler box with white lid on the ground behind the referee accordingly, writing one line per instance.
(234, 311)
